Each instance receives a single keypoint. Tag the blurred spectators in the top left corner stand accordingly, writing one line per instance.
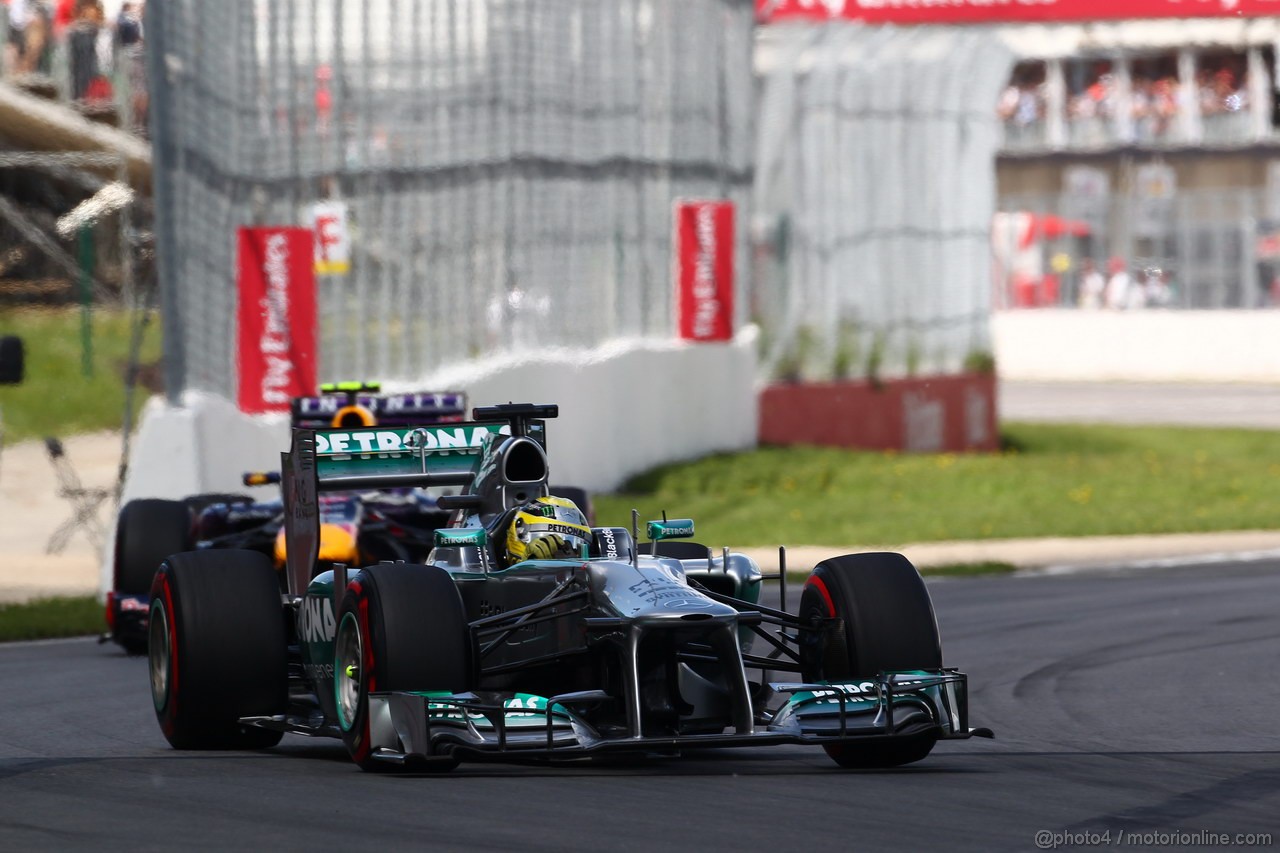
(75, 38)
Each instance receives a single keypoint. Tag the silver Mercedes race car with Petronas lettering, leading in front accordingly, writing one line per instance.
(528, 635)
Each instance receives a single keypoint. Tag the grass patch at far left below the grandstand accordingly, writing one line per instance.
(57, 399)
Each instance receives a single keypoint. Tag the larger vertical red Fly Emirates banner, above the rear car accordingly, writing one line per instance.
(277, 346)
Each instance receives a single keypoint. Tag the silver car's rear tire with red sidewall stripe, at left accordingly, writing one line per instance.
(217, 646)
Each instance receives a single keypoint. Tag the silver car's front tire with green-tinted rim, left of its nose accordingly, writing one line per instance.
(401, 628)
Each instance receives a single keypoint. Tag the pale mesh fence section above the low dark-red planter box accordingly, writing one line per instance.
(874, 200)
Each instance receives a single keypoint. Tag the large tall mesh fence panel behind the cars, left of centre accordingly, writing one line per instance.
(509, 167)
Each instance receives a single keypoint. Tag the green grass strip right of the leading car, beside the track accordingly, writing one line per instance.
(1053, 481)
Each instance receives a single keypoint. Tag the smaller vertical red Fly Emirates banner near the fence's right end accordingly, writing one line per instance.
(705, 270)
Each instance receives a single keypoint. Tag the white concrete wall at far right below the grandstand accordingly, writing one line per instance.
(1137, 346)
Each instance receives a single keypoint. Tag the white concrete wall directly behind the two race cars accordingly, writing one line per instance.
(625, 408)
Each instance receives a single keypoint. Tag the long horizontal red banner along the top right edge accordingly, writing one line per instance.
(1008, 11)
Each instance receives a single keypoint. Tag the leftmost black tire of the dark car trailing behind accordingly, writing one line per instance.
(145, 535)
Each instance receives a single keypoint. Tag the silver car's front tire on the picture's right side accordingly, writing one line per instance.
(889, 626)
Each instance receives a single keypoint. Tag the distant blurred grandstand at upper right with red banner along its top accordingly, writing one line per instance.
(1137, 135)
